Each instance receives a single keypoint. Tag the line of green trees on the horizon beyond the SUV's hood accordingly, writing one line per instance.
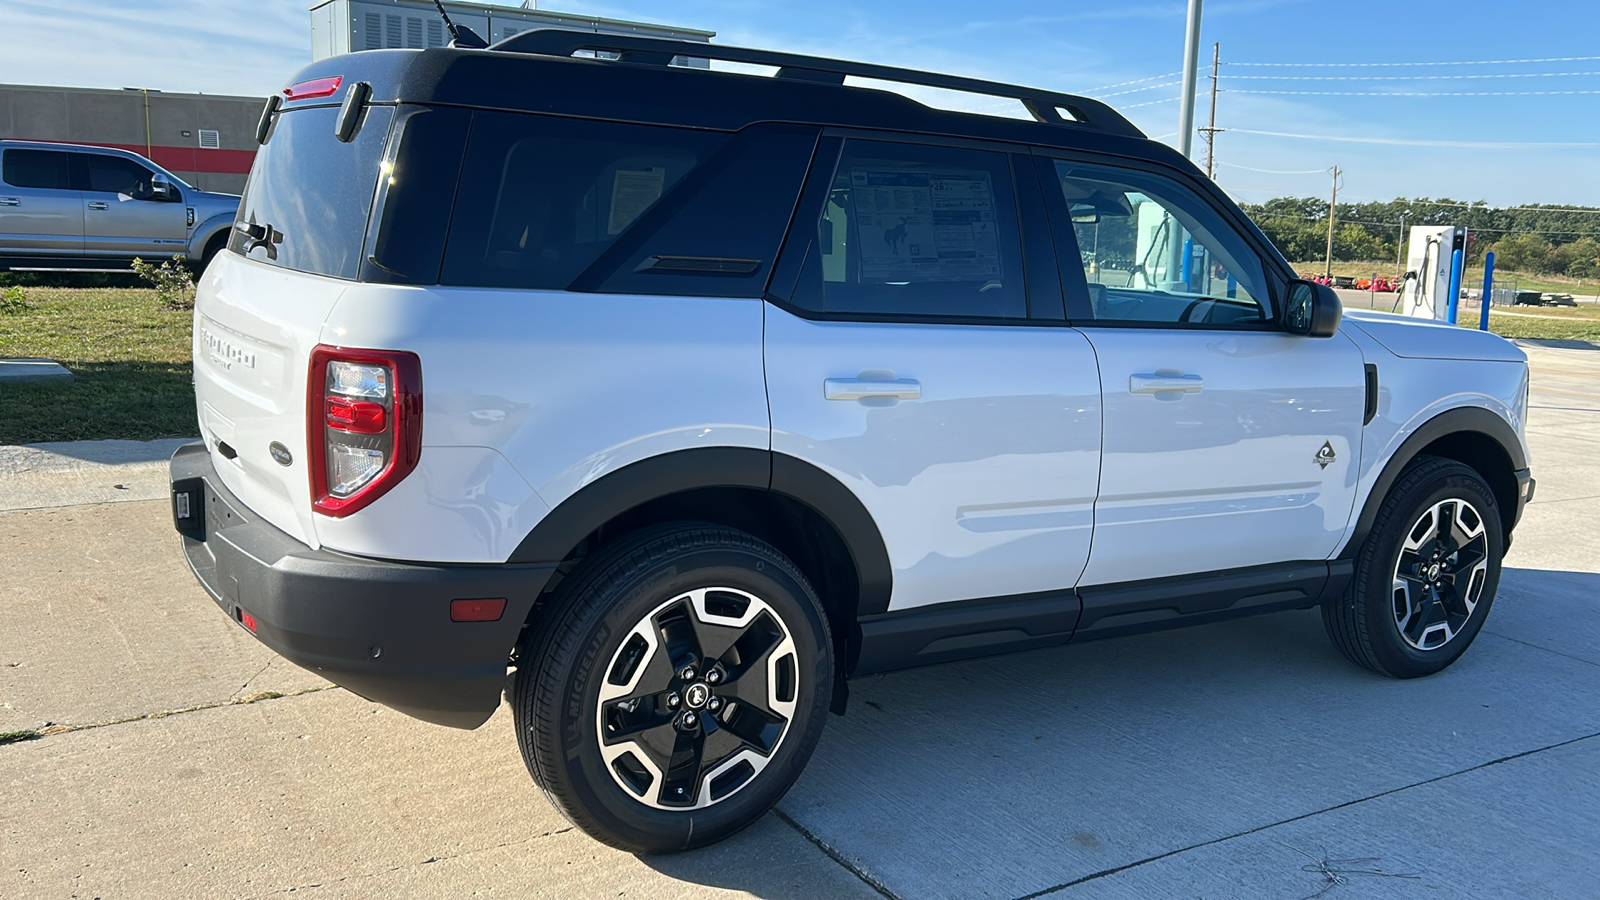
(1537, 239)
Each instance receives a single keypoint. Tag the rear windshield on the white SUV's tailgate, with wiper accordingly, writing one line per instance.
(310, 195)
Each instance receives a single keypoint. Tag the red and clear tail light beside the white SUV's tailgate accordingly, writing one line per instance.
(364, 425)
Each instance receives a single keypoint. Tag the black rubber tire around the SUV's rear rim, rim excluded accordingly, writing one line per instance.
(574, 640)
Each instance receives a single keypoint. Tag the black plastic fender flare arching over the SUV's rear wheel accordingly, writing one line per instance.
(679, 472)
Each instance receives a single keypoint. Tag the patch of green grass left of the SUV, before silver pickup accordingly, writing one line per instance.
(129, 358)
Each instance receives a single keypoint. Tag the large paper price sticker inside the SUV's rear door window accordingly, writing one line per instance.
(919, 225)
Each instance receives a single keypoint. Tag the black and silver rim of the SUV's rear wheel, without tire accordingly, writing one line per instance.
(697, 699)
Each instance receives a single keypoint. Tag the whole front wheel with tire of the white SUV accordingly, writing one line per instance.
(1426, 577)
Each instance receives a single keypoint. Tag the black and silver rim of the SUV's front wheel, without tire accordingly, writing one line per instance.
(1439, 574)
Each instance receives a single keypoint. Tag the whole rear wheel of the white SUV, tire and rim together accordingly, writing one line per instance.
(610, 653)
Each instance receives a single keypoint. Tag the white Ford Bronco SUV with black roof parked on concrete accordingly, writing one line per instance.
(668, 400)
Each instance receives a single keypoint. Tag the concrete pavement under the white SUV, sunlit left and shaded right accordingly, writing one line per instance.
(1241, 760)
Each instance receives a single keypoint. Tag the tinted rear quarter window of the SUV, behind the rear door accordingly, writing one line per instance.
(542, 198)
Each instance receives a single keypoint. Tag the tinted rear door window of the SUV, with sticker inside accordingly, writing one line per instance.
(918, 231)
